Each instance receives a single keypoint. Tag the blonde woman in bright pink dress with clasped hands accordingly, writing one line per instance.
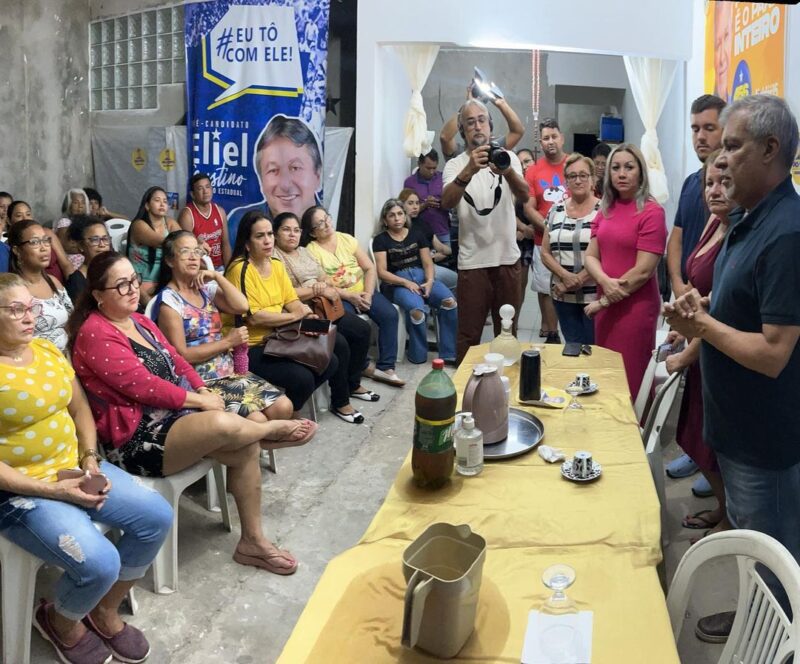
(628, 239)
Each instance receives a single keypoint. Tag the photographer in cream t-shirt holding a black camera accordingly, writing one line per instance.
(483, 183)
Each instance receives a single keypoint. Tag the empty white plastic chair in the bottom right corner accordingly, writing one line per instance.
(761, 633)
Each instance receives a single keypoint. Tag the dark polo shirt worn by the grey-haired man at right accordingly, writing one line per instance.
(749, 416)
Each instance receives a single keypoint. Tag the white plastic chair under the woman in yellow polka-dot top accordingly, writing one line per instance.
(19, 570)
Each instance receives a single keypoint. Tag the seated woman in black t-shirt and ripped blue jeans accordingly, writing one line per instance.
(405, 267)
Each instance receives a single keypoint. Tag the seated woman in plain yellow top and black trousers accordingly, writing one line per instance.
(273, 303)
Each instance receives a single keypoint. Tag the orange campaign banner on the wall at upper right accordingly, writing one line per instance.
(745, 49)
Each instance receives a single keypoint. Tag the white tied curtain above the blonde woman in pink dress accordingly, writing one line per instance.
(651, 79)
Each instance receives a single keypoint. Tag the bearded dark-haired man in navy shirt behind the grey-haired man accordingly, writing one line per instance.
(690, 220)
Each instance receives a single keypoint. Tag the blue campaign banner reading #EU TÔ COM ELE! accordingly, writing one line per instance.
(256, 85)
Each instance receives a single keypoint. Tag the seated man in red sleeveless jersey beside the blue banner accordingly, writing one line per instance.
(207, 221)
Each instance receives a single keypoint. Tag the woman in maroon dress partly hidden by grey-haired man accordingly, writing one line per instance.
(700, 270)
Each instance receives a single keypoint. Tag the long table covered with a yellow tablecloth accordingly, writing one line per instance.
(531, 518)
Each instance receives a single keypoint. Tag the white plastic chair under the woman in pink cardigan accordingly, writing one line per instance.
(165, 565)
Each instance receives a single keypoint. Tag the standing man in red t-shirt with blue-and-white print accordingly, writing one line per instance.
(546, 181)
